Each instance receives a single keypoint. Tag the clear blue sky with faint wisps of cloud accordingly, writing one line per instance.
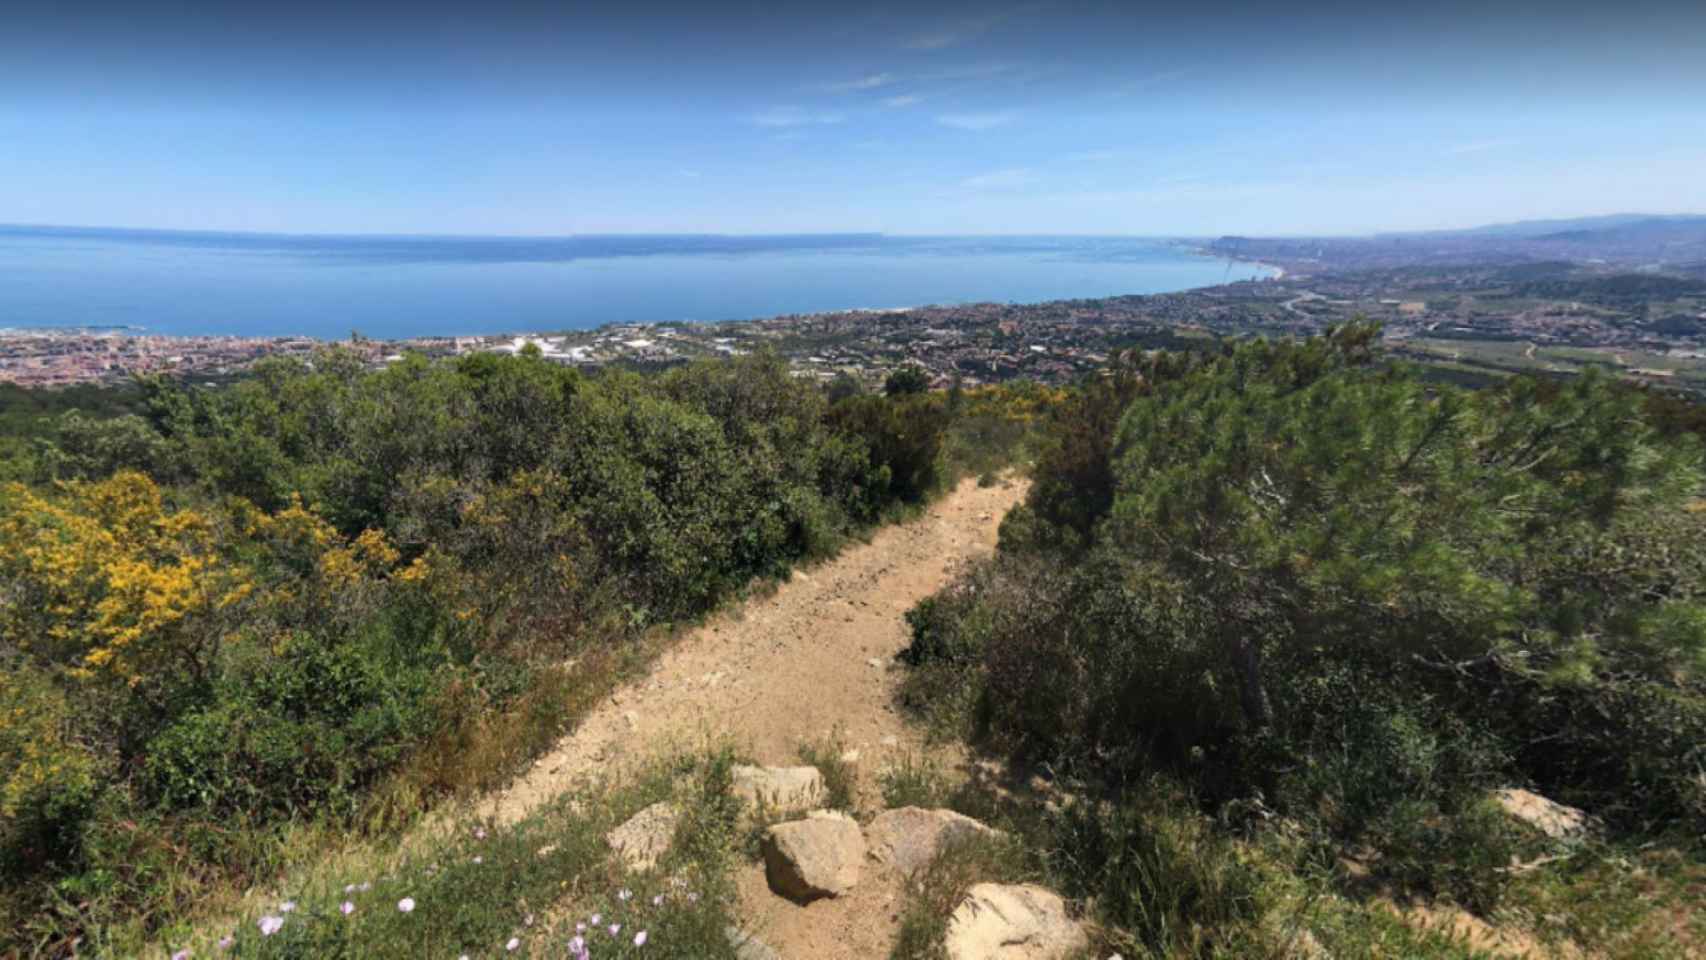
(1064, 119)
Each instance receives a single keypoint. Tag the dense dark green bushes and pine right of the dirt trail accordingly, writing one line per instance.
(1294, 584)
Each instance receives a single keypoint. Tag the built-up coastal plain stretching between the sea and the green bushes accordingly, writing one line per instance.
(1652, 327)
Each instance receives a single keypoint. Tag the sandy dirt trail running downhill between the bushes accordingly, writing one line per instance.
(809, 661)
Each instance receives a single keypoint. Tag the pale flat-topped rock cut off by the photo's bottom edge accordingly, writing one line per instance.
(1001, 922)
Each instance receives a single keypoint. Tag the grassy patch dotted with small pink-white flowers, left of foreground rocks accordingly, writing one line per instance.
(496, 891)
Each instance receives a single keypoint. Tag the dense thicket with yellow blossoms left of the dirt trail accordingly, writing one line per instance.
(327, 594)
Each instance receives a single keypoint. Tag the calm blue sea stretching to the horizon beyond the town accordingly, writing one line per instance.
(403, 287)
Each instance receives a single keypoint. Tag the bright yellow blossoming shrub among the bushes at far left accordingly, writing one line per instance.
(117, 584)
